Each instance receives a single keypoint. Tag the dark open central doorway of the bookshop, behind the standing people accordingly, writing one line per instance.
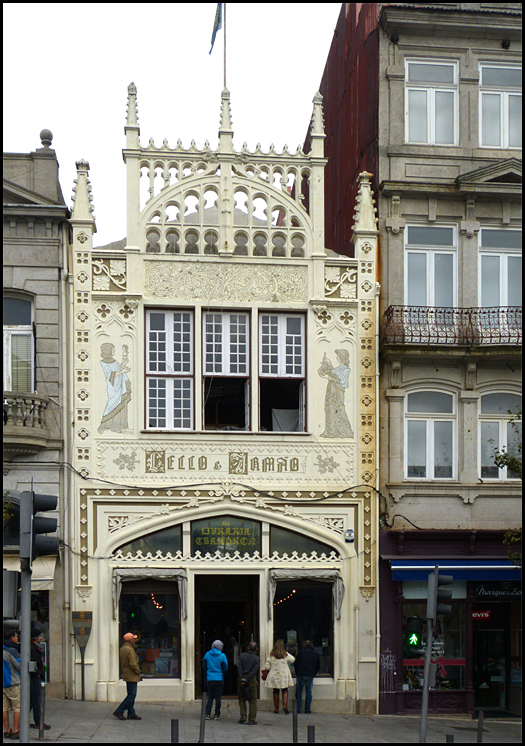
(226, 609)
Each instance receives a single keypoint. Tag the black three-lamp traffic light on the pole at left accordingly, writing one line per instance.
(33, 528)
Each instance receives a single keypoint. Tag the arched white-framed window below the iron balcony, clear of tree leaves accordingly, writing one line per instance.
(430, 435)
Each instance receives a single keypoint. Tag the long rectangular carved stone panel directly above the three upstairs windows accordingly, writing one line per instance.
(226, 282)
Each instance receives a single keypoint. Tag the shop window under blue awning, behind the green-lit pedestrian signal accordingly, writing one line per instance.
(448, 647)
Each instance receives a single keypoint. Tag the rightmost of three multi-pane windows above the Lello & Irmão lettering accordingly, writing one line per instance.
(281, 372)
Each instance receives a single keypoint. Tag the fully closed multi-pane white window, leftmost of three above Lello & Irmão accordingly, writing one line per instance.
(178, 374)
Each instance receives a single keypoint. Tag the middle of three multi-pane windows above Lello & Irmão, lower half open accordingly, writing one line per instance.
(226, 389)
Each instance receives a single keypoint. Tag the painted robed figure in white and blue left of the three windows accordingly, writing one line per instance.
(115, 415)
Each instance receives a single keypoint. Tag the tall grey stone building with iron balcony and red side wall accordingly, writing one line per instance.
(428, 99)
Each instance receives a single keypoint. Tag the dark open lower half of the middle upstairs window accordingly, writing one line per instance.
(225, 403)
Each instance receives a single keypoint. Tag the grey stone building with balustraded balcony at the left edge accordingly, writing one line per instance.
(36, 239)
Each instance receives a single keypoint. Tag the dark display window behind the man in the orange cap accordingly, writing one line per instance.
(150, 609)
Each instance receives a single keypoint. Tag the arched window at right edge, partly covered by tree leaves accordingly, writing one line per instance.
(499, 431)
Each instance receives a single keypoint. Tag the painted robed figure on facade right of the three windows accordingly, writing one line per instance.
(337, 424)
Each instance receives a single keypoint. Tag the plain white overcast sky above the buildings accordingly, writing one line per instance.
(68, 66)
